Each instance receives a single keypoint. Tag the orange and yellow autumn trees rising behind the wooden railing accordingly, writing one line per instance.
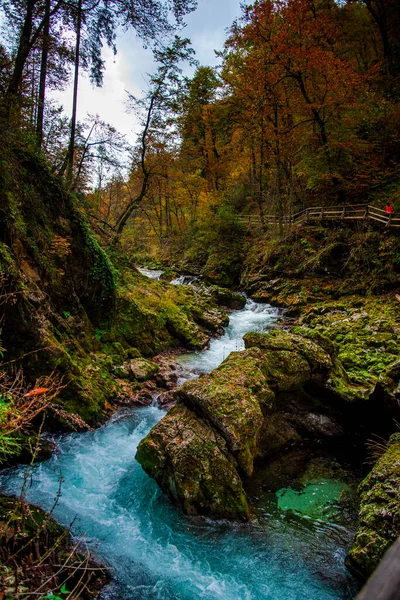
(302, 111)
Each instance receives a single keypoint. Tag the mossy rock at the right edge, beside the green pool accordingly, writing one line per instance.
(380, 512)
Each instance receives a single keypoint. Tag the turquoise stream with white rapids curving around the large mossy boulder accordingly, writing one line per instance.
(293, 549)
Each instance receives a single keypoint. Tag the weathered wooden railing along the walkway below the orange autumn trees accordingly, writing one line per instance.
(351, 212)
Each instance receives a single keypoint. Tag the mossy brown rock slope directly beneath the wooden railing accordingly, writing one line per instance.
(313, 263)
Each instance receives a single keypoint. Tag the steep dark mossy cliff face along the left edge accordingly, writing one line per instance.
(59, 281)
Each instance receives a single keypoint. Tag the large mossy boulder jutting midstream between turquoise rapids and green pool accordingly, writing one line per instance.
(251, 407)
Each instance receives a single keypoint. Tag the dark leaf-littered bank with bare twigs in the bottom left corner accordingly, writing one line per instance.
(43, 556)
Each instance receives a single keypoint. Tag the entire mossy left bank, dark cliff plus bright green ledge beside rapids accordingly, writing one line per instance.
(68, 310)
